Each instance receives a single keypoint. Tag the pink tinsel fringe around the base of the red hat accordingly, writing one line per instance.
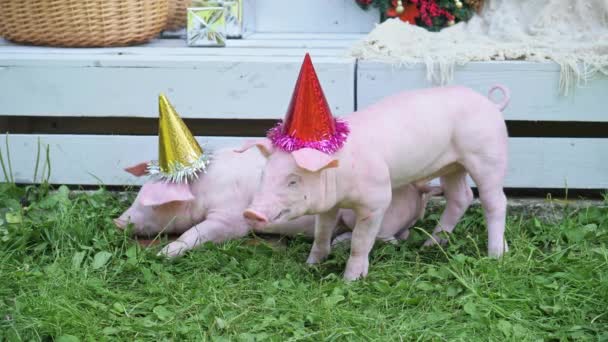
(289, 144)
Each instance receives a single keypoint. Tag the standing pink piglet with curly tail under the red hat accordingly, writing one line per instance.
(416, 135)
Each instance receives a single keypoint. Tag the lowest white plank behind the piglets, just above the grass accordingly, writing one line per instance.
(534, 162)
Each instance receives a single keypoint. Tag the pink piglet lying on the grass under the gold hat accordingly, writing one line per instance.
(210, 208)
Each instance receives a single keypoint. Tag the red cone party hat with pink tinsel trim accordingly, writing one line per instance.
(309, 122)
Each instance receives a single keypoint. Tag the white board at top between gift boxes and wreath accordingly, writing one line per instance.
(313, 16)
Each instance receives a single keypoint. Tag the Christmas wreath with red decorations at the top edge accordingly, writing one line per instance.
(431, 14)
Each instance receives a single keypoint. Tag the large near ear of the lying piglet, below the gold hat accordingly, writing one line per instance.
(159, 193)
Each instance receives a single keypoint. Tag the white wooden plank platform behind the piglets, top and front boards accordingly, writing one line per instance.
(253, 79)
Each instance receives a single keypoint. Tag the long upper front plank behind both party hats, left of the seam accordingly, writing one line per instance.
(204, 87)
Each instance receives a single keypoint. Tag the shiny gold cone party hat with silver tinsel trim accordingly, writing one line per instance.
(180, 157)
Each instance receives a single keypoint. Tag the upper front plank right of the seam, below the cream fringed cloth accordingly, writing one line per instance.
(535, 93)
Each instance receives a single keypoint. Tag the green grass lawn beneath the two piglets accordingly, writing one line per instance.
(66, 274)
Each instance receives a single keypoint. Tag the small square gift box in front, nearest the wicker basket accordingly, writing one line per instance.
(206, 26)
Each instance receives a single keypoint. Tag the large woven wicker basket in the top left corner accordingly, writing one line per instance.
(82, 23)
